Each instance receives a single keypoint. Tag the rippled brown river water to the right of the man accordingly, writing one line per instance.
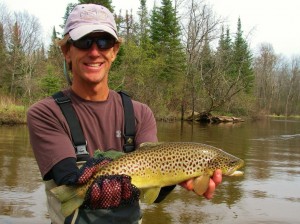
(270, 149)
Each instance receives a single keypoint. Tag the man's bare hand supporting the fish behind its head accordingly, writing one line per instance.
(203, 185)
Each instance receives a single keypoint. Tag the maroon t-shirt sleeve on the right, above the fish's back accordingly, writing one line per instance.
(146, 130)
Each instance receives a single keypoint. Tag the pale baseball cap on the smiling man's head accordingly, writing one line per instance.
(89, 18)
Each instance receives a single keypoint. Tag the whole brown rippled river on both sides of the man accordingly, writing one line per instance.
(267, 193)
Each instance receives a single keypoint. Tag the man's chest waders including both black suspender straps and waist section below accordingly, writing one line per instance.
(83, 216)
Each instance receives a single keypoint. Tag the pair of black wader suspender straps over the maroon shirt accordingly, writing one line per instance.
(78, 139)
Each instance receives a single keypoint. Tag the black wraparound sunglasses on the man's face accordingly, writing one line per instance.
(85, 43)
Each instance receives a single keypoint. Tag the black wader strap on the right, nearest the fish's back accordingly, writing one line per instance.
(129, 129)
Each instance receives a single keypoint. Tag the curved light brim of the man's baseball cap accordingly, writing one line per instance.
(81, 31)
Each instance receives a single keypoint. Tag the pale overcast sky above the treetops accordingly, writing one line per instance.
(271, 21)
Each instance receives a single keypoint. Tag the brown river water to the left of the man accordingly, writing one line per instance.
(21, 187)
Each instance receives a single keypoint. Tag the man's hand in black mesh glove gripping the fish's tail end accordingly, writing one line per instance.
(108, 191)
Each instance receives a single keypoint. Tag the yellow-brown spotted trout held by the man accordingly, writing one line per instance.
(156, 165)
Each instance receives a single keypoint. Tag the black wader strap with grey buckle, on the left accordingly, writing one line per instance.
(68, 111)
